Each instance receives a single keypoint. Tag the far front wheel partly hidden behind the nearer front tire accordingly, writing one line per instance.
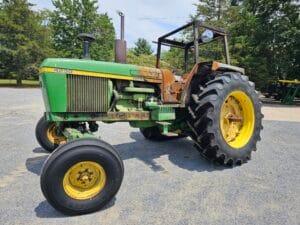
(48, 135)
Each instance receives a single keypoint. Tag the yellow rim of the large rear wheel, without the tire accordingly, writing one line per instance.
(237, 119)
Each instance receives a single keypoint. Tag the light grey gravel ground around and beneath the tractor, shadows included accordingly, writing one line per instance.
(164, 183)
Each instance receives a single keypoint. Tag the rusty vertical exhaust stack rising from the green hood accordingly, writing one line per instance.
(120, 44)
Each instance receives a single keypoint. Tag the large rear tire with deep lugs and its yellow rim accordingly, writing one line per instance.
(226, 119)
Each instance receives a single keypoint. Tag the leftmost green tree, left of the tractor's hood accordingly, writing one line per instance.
(24, 40)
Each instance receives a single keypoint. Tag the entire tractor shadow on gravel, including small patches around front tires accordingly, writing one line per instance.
(180, 152)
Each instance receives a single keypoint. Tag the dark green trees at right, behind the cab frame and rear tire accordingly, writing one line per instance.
(263, 37)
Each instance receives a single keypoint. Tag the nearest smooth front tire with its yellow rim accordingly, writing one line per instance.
(82, 176)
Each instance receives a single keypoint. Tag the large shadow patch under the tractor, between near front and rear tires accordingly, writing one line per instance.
(180, 152)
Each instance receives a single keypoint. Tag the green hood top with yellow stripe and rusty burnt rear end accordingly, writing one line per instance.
(101, 69)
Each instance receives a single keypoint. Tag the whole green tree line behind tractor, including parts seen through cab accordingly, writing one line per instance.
(264, 36)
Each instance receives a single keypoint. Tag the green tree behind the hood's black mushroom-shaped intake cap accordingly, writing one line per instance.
(72, 17)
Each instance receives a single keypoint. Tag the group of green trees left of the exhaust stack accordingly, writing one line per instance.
(27, 36)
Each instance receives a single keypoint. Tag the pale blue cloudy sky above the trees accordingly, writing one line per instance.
(147, 19)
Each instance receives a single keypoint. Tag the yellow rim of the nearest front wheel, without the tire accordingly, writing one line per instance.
(84, 180)
